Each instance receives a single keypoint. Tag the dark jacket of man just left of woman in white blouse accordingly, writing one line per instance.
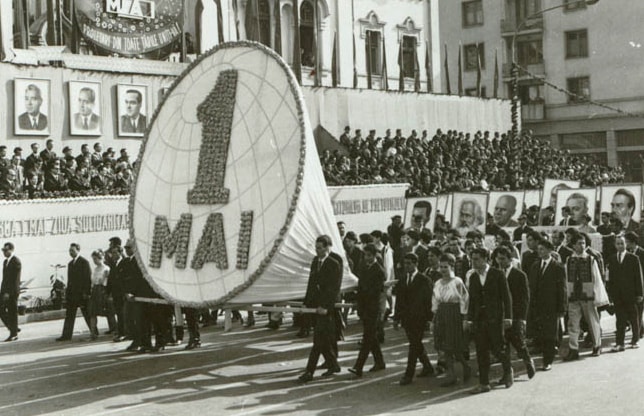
(414, 300)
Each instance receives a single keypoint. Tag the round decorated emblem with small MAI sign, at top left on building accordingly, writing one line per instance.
(130, 28)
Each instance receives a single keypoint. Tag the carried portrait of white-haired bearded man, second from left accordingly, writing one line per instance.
(469, 212)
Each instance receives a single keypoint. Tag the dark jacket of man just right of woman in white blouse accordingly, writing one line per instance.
(494, 296)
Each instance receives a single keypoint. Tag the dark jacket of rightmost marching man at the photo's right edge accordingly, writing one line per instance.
(625, 279)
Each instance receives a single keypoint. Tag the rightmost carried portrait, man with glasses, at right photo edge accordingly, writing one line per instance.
(624, 201)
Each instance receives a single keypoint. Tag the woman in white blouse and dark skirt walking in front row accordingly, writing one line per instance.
(449, 304)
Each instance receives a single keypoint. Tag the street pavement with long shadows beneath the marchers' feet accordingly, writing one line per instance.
(254, 371)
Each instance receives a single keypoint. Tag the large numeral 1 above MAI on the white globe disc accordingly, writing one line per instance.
(216, 116)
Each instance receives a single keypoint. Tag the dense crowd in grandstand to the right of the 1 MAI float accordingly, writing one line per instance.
(456, 161)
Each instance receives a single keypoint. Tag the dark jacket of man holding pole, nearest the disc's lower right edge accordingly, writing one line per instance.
(324, 285)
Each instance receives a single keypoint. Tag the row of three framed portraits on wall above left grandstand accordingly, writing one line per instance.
(33, 107)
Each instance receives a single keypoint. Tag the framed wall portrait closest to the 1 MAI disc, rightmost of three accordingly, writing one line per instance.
(132, 110)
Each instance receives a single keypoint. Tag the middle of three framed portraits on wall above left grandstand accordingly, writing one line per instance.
(85, 115)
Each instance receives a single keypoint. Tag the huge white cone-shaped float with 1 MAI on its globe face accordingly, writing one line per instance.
(230, 194)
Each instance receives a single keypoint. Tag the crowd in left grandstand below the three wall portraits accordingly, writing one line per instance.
(45, 174)
